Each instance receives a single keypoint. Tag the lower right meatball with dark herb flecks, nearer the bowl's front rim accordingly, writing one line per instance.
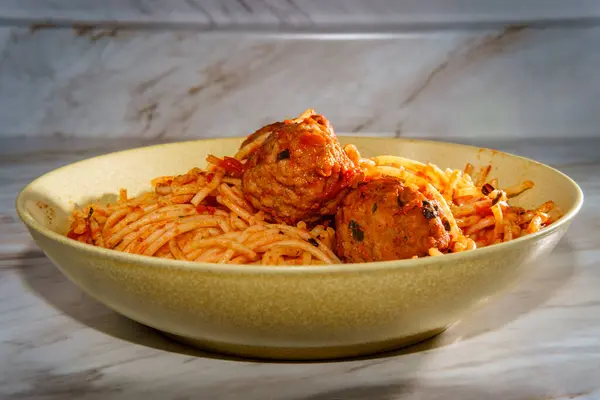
(384, 220)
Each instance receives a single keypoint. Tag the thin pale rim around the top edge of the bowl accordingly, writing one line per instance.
(150, 261)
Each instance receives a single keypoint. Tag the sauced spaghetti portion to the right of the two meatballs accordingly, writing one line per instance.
(478, 212)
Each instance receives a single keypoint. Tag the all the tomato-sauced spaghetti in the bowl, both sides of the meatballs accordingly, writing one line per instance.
(203, 216)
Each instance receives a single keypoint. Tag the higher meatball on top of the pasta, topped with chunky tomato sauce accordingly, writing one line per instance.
(300, 172)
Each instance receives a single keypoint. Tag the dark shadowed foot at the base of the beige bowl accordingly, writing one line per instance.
(305, 353)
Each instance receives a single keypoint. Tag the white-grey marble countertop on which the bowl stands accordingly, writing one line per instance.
(539, 341)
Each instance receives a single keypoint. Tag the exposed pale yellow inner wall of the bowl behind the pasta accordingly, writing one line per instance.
(50, 199)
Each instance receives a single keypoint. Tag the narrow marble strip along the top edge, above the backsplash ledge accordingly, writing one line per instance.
(311, 13)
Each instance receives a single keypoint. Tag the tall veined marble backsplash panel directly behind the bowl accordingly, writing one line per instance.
(83, 81)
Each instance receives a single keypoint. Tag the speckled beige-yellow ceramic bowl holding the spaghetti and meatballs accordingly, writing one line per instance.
(287, 312)
